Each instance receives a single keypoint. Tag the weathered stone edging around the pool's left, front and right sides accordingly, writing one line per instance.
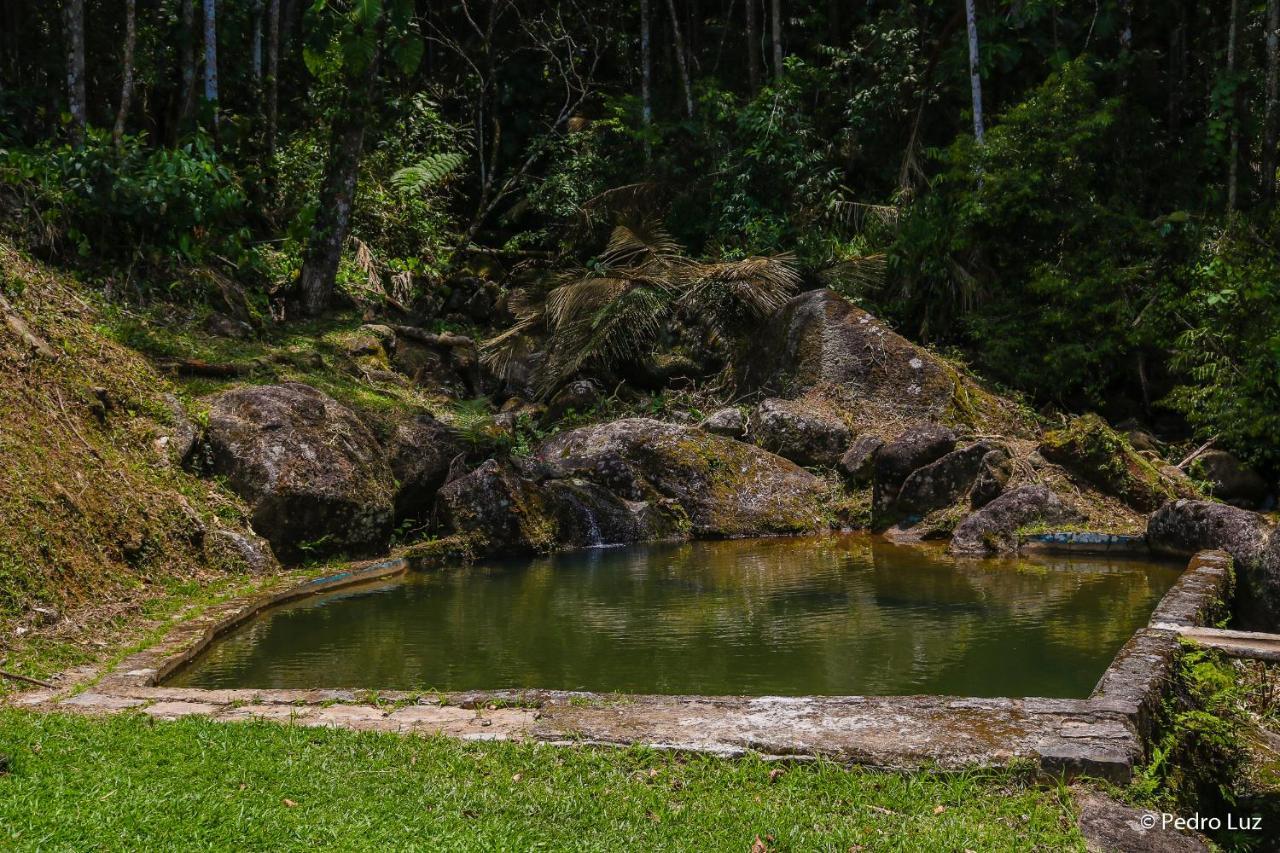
(1104, 736)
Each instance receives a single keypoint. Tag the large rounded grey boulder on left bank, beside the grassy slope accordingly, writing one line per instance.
(314, 476)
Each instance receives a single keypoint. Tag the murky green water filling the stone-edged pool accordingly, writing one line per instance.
(833, 615)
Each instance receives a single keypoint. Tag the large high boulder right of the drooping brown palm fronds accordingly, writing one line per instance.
(820, 339)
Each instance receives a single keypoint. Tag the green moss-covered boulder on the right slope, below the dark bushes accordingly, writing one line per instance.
(1099, 455)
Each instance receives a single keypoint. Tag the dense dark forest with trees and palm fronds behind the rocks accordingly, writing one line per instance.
(1076, 198)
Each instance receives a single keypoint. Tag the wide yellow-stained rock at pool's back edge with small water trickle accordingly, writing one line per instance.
(630, 481)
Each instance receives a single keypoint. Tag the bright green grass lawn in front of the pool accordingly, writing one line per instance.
(129, 783)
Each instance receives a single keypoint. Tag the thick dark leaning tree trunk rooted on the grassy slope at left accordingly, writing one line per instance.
(339, 191)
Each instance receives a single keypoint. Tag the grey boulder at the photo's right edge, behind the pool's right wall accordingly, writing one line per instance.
(1182, 528)
